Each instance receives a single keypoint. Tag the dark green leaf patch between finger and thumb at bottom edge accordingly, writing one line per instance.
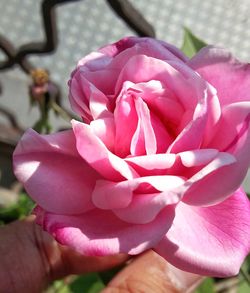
(89, 283)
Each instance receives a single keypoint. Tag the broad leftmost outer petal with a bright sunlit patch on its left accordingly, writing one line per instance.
(52, 172)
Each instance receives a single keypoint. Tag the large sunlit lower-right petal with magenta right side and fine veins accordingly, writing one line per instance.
(209, 241)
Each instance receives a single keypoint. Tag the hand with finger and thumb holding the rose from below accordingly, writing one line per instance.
(30, 259)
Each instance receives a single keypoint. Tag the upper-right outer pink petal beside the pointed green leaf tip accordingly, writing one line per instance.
(230, 77)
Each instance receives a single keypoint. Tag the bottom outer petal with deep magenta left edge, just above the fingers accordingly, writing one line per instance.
(100, 232)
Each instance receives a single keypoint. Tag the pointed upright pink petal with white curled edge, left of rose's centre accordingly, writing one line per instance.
(93, 150)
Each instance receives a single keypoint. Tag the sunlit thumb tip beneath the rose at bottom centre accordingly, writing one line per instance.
(151, 273)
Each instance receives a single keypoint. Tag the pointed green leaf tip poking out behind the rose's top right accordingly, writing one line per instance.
(191, 44)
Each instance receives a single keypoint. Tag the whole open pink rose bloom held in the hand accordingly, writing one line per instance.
(157, 161)
